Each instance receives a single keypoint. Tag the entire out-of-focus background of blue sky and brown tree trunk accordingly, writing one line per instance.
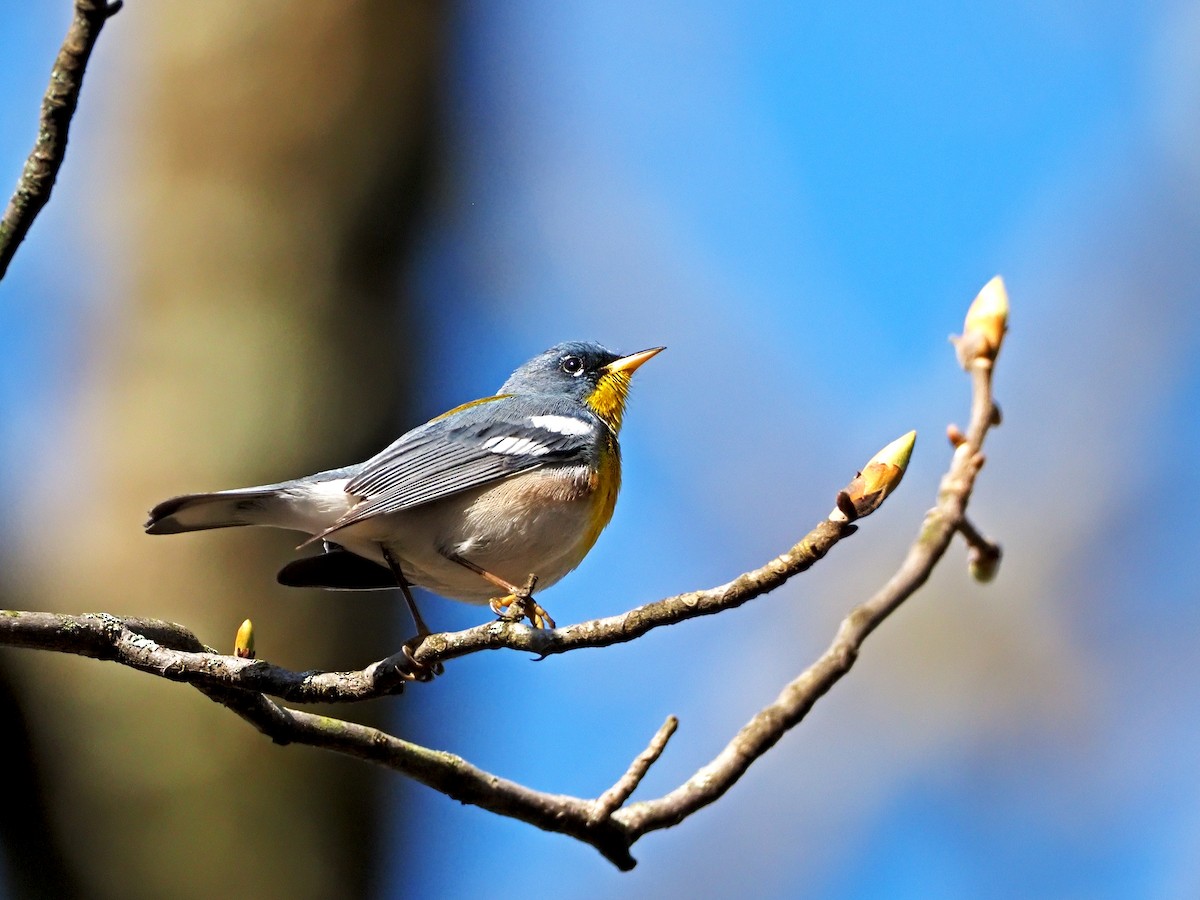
(283, 238)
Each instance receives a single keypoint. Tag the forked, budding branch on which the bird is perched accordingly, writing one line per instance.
(607, 824)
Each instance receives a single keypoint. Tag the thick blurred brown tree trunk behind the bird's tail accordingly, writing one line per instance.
(256, 217)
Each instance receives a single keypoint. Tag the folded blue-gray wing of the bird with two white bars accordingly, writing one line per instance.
(487, 442)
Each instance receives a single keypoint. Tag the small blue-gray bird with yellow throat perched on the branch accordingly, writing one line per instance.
(491, 497)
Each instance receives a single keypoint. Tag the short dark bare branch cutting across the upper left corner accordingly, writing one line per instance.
(58, 107)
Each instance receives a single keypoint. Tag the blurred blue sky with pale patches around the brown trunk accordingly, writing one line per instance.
(801, 203)
